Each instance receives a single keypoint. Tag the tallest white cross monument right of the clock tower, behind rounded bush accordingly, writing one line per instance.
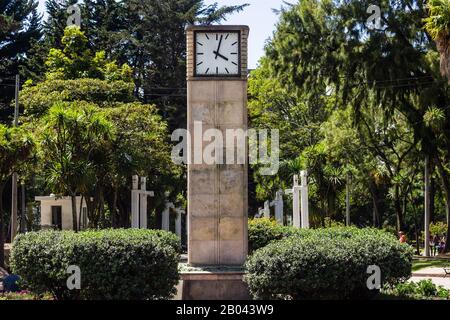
(300, 201)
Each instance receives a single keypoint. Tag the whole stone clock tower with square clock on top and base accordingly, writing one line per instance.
(217, 192)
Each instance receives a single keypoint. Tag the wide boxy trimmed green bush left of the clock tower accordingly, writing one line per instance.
(115, 264)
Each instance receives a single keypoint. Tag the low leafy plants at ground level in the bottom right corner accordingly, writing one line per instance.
(424, 289)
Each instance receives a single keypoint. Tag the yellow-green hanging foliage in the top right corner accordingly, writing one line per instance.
(438, 21)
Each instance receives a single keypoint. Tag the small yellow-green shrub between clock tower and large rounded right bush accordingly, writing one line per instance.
(262, 231)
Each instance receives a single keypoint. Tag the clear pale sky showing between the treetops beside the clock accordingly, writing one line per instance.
(258, 16)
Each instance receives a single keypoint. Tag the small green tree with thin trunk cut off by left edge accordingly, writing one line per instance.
(16, 147)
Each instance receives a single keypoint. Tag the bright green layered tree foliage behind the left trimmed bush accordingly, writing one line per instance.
(135, 142)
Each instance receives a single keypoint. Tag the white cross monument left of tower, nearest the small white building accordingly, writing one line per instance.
(139, 203)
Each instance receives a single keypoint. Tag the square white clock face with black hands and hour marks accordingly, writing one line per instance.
(217, 53)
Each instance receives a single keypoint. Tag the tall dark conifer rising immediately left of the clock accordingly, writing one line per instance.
(149, 36)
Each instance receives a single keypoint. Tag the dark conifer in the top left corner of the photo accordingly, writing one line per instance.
(19, 26)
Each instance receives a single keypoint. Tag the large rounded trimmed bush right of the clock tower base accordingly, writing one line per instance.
(326, 263)
